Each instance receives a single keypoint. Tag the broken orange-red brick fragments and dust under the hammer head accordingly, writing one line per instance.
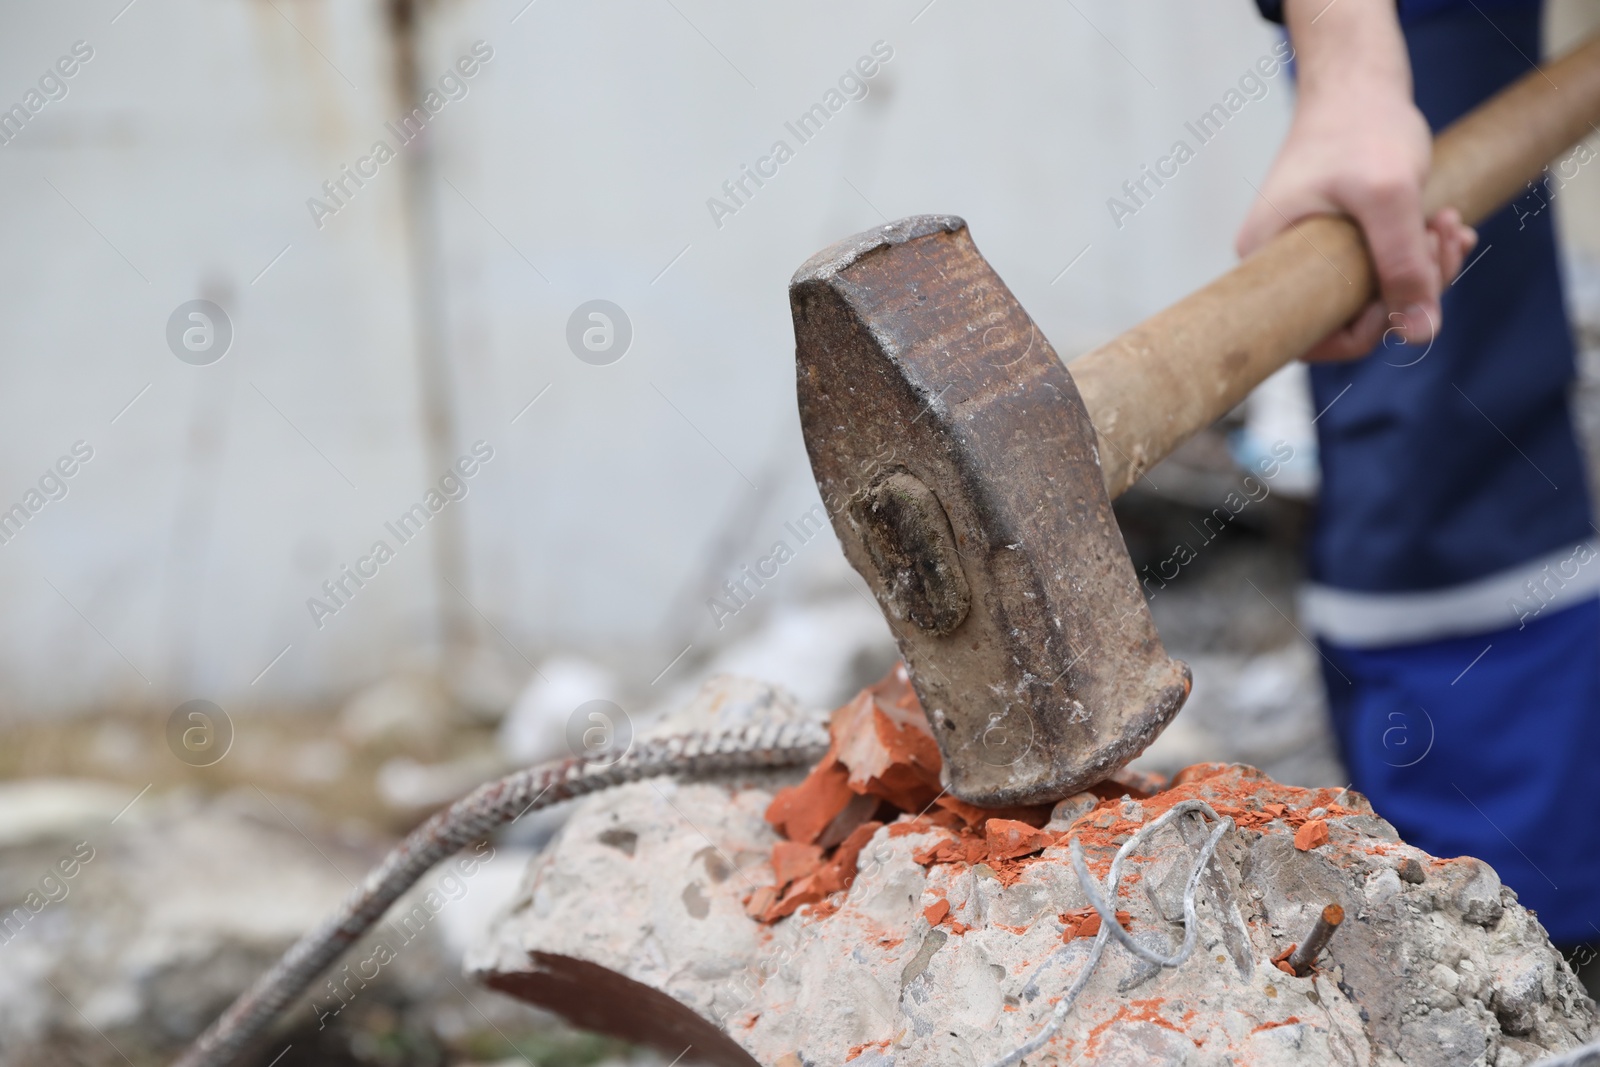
(882, 769)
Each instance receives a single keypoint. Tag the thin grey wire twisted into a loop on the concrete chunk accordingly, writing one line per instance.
(1111, 929)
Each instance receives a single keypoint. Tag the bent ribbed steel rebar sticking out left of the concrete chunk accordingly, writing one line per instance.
(473, 818)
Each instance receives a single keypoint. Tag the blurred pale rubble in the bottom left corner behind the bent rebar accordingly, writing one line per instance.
(132, 925)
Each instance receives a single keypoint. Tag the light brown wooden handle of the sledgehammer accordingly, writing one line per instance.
(1178, 372)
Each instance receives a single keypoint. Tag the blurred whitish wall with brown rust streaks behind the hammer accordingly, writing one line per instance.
(577, 167)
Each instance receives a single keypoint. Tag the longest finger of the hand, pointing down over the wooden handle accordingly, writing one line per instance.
(1391, 220)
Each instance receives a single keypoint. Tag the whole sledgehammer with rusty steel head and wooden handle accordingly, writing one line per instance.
(970, 476)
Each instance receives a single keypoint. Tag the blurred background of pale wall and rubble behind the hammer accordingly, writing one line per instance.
(490, 284)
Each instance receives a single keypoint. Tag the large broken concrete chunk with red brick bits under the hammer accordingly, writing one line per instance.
(860, 916)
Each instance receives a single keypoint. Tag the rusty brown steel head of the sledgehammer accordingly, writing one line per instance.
(961, 473)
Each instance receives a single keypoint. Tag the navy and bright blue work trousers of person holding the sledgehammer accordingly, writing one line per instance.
(1450, 466)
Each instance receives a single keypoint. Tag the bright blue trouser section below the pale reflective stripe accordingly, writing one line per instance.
(1457, 748)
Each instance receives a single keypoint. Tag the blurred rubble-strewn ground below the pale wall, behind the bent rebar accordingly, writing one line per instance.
(199, 877)
